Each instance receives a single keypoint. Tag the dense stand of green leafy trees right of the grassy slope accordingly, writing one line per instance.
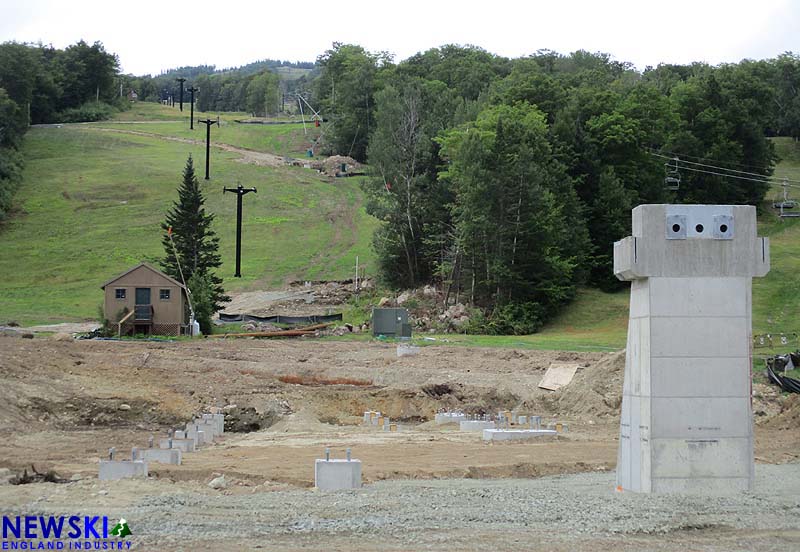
(506, 181)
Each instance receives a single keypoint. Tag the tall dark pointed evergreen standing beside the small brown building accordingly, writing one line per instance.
(195, 242)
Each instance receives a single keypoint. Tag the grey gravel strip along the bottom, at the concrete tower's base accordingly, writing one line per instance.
(570, 512)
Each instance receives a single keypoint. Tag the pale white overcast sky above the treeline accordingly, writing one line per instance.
(153, 36)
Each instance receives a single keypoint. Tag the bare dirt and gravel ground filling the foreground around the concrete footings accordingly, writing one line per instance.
(63, 404)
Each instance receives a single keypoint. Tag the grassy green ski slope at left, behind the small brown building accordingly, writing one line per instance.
(93, 200)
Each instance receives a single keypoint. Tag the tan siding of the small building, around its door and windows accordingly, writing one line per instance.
(164, 312)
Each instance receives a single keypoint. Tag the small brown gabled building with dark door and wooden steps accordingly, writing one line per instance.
(144, 300)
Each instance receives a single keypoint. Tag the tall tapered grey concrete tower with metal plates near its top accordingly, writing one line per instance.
(686, 423)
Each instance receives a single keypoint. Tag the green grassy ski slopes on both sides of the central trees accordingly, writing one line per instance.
(94, 196)
